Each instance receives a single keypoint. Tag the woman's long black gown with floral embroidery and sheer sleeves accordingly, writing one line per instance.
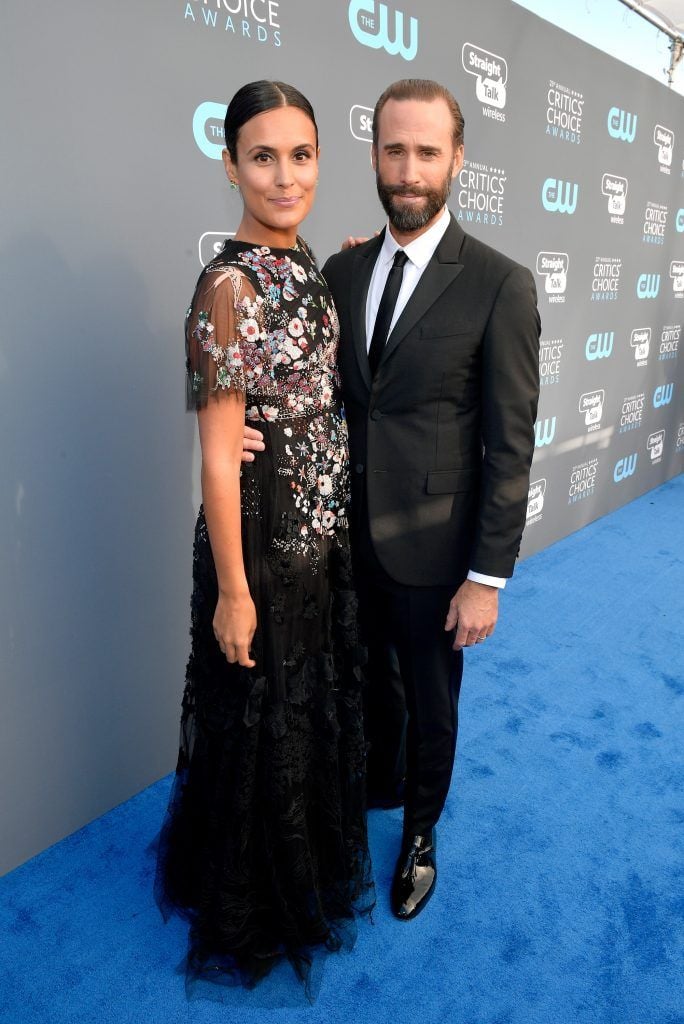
(265, 845)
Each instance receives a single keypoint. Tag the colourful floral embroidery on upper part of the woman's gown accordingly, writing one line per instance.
(282, 354)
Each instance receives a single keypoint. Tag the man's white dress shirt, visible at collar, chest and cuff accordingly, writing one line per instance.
(420, 252)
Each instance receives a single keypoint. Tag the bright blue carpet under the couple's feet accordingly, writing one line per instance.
(562, 888)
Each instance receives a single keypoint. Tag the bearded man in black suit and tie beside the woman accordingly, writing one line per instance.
(440, 363)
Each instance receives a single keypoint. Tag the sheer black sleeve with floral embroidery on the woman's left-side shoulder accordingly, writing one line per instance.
(225, 314)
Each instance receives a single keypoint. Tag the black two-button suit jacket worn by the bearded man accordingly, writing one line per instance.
(443, 440)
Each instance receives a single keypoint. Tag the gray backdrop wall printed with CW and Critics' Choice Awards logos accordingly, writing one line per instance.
(113, 198)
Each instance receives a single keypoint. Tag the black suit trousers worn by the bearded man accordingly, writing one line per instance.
(412, 699)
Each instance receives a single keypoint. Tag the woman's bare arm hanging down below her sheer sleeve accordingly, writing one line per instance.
(222, 424)
